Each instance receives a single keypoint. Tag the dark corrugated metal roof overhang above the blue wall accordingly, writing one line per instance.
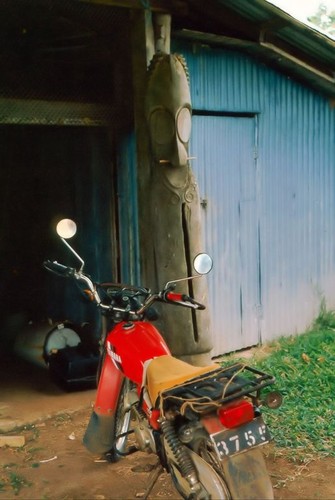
(267, 33)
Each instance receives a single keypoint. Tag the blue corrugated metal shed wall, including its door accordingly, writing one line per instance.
(288, 238)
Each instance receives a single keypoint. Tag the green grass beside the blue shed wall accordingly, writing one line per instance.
(304, 368)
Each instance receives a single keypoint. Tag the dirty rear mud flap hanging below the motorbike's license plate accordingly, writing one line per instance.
(247, 477)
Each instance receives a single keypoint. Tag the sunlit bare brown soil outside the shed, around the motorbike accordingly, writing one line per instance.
(53, 464)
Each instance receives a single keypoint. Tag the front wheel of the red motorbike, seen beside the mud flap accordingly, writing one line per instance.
(121, 424)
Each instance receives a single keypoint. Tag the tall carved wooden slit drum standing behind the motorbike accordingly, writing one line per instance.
(174, 203)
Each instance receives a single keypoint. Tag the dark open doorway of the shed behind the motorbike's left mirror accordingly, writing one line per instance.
(48, 173)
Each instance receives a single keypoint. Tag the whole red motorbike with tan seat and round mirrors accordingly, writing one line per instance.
(203, 423)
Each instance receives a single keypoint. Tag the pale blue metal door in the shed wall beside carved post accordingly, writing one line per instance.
(231, 223)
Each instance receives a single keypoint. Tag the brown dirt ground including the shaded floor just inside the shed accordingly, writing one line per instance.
(53, 463)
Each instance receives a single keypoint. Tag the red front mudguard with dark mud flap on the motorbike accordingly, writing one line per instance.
(98, 437)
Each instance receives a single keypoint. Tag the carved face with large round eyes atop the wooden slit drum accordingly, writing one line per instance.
(168, 109)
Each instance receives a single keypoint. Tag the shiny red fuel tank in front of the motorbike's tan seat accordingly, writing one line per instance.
(130, 344)
